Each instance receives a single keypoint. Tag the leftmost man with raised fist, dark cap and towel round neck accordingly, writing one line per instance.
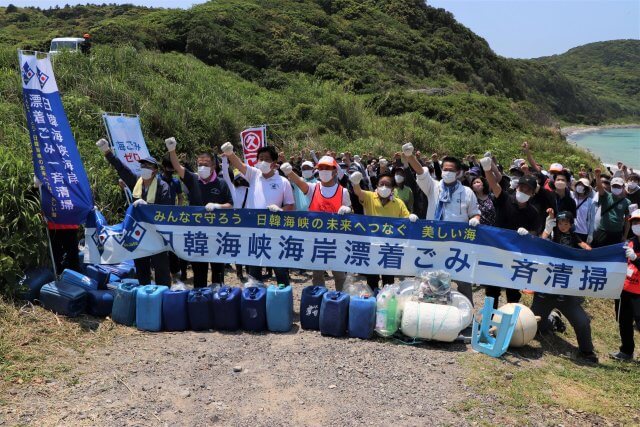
(147, 188)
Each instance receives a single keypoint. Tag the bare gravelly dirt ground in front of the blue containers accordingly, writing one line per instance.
(295, 378)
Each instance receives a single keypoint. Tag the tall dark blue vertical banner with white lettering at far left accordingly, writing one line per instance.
(66, 194)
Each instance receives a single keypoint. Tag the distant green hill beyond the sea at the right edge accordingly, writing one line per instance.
(609, 70)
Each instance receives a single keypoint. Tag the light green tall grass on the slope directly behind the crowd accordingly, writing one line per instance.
(204, 106)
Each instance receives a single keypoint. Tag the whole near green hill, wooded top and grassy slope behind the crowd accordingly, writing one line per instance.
(339, 75)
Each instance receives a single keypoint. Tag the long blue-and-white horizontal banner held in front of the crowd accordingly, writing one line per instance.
(358, 244)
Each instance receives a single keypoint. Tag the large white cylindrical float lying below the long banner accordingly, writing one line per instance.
(431, 321)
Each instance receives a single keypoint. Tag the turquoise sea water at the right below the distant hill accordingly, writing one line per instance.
(612, 145)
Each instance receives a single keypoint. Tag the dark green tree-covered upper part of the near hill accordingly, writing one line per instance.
(368, 47)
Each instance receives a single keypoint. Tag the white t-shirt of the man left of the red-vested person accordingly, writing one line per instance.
(263, 192)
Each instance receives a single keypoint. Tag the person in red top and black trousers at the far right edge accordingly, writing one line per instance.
(628, 306)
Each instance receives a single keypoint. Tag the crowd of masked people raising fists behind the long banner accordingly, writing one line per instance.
(583, 209)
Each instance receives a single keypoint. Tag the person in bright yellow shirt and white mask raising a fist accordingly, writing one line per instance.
(380, 203)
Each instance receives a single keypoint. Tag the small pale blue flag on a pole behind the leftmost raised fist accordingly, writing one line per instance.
(126, 138)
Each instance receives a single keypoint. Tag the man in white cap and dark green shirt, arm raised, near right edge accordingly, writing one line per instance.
(613, 210)
